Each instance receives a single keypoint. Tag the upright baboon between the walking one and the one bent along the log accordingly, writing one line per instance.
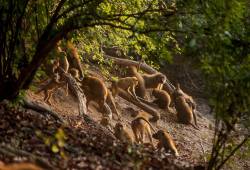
(140, 88)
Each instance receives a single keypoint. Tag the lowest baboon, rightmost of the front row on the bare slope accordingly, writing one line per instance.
(166, 141)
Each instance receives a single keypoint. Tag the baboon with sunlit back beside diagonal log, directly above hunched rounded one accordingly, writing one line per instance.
(154, 80)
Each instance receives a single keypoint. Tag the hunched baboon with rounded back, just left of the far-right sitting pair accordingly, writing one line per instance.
(162, 99)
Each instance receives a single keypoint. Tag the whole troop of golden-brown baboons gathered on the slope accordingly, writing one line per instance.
(137, 85)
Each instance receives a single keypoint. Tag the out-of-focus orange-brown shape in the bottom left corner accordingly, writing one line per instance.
(20, 166)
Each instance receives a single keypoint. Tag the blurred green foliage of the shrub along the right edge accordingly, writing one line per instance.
(221, 44)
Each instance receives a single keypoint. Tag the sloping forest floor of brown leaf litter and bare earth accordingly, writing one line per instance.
(91, 147)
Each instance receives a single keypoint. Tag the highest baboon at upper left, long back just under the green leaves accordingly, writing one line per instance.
(73, 57)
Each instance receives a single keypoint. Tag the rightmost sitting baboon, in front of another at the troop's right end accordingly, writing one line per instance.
(184, 112)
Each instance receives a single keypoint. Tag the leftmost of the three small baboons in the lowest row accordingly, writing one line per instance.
(122, 134)
